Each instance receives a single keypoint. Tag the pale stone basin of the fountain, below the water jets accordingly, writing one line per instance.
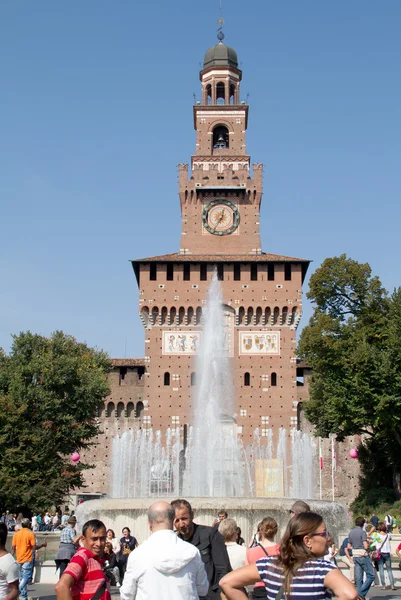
(248, 512)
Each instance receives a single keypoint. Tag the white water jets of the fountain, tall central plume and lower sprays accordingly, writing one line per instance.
(212, 462)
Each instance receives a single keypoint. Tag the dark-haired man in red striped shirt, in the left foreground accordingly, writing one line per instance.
(84, 579)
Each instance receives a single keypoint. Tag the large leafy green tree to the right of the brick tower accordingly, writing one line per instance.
(353, 345)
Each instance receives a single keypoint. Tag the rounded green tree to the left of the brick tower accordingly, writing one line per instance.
(50, 390)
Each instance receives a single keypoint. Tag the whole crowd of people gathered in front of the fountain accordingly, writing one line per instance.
(182, 559)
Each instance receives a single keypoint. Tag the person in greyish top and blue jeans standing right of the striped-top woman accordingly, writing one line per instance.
(358, 543)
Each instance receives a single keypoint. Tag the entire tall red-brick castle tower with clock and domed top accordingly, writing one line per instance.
(220, 200)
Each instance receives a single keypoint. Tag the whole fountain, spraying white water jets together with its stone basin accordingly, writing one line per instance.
(209, 464)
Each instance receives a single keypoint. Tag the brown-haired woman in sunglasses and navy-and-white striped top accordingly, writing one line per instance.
(298, 571)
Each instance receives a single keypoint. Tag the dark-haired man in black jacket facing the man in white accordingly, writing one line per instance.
(209, 542)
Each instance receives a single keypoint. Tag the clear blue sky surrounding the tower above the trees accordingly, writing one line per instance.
(96, 113)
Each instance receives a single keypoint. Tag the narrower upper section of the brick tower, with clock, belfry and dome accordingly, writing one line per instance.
(220, 201)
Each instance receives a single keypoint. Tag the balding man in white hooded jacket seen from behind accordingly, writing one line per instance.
(164, 567)
